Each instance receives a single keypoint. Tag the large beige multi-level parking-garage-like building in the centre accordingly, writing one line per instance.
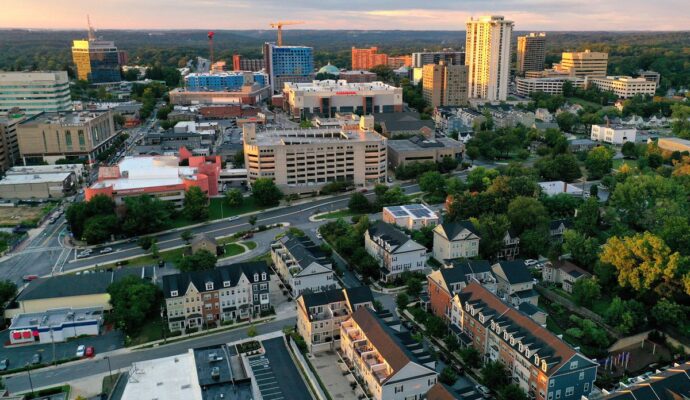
(304, 160)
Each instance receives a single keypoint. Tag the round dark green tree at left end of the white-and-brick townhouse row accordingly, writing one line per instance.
(133, 302)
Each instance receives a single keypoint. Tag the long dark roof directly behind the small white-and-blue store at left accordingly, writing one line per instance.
(78, 285)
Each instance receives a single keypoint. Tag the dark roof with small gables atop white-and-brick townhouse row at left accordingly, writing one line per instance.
(227, 273)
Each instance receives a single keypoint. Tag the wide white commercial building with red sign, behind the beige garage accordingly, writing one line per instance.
(328, 97)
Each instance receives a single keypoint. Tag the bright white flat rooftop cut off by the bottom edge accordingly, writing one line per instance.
(170, 378)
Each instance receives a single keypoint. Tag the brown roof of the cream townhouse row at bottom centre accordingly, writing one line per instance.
(390, 344)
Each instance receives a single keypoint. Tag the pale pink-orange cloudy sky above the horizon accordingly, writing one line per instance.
(549, 15)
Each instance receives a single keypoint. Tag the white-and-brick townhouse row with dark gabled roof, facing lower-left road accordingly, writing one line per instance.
(210, 297)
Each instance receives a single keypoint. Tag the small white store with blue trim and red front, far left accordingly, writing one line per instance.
(56, 325)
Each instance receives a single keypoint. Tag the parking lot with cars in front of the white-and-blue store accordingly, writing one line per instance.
(19, 356)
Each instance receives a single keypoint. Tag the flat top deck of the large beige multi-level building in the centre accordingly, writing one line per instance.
(313, 135)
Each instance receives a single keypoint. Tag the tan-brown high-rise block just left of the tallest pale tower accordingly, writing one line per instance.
(445, 85)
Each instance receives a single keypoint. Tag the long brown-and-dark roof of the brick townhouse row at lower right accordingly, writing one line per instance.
(539, 340)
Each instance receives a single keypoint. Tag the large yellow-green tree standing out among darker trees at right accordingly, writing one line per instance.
(643, 261)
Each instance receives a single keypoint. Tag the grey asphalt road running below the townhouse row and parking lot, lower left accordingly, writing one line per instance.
(80, 369)
